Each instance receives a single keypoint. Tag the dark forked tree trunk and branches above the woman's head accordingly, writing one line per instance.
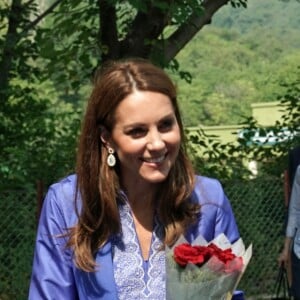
(144, 38)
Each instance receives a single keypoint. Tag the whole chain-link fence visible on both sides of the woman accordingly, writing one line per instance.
(258, 206)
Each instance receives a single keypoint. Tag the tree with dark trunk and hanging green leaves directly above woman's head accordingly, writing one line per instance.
(83, 34)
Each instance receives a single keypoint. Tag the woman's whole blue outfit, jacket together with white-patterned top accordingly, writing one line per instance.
(121, 274)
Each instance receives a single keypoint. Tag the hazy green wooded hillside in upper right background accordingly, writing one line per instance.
(241, 58)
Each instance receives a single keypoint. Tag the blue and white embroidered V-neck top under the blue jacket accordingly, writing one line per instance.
(144, 279)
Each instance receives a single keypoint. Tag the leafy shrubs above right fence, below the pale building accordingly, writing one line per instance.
(230, 160)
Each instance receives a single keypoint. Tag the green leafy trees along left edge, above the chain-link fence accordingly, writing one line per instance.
(37, 131)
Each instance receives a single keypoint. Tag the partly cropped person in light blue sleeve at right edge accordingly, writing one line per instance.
(292, 237)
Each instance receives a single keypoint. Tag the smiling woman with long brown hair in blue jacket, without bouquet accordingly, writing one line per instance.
(102, 231)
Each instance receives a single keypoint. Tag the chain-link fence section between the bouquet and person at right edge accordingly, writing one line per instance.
(260, 212)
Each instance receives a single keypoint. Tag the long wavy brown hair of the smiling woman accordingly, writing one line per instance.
(99, 185)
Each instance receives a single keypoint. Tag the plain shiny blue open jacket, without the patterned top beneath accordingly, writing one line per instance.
(54, 275)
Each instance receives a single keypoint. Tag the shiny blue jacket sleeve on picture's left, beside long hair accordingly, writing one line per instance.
(52, 272)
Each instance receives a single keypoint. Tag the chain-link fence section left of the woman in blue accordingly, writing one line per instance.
(18, 227)
